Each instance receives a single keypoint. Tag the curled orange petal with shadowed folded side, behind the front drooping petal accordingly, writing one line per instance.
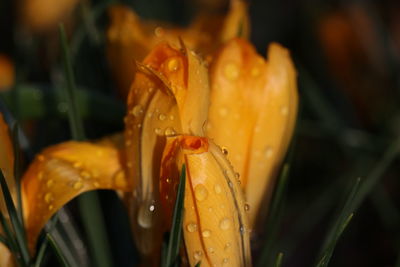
(169, 95)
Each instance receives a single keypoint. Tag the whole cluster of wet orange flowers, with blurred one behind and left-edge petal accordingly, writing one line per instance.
(200, 97)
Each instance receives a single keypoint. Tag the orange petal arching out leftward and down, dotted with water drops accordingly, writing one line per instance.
(64, 171)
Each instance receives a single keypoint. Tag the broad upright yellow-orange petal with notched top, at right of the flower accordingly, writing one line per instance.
(253, 111)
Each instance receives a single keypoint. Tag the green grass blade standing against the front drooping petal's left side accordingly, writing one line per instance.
(177, 219)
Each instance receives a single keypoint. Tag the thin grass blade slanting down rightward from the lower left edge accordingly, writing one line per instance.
(15, 222)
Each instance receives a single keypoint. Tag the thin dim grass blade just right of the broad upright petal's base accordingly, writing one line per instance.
(274, 216)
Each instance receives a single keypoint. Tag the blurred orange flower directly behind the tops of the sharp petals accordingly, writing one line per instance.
(130, 38)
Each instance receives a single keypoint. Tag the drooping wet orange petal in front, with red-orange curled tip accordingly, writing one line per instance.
(215, 224)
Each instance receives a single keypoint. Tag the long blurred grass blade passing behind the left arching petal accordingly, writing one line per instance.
(89, 204)
